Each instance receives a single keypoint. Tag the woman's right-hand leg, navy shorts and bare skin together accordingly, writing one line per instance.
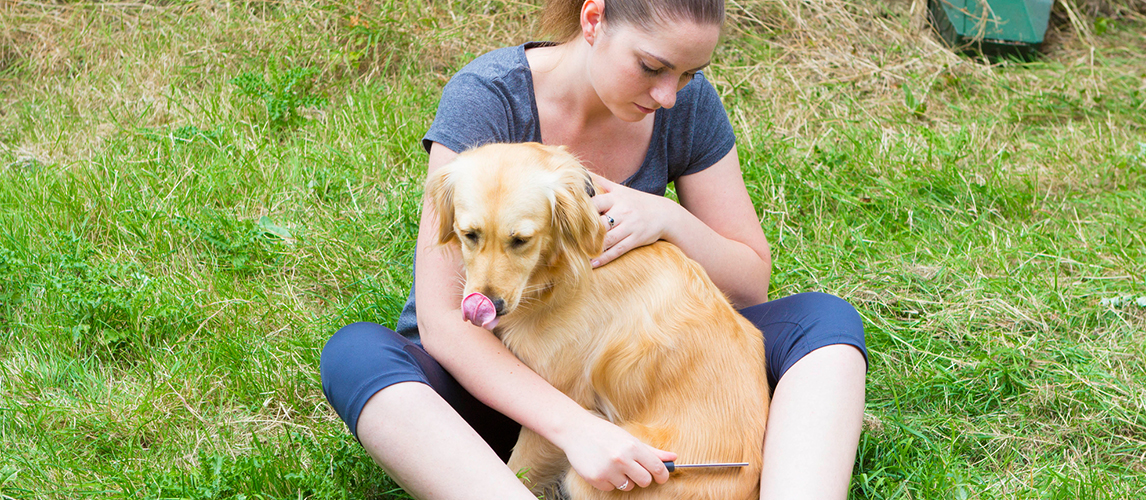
(817, 365)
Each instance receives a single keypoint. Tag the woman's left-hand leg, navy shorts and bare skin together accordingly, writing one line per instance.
(418, 424)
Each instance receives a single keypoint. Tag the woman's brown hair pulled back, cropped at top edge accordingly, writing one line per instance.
(562, 19)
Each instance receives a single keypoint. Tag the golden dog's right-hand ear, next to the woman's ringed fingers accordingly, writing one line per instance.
(580, 235)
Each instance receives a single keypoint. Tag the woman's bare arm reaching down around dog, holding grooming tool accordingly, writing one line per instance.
(602, 454)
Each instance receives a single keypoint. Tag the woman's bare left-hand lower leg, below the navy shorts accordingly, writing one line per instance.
(426, 447)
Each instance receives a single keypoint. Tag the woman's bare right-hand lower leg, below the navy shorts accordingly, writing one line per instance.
(814, 426)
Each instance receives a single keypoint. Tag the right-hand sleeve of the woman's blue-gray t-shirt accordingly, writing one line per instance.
(712, 132)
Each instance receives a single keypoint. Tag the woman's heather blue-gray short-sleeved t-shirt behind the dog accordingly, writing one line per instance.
(491, 100)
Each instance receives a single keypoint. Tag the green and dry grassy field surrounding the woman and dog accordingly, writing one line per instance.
(195, 196)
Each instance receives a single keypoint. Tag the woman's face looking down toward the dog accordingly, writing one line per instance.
(635, 72)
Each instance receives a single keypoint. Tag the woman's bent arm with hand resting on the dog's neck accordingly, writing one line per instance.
(716, 225)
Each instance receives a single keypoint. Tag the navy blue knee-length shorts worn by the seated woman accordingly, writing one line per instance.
(363, 360)
